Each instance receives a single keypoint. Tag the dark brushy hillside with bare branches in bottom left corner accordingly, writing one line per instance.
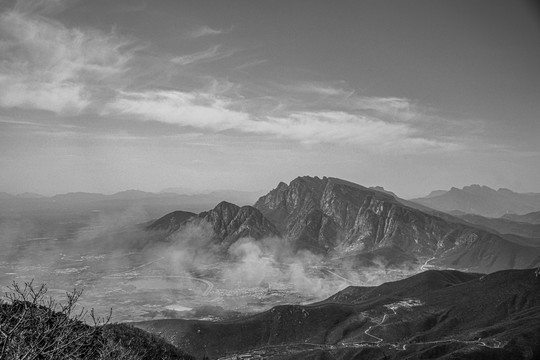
(34, 326)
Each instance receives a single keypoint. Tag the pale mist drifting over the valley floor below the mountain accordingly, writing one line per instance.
(142, 274)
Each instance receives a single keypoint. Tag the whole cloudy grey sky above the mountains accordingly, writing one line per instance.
(418, 95)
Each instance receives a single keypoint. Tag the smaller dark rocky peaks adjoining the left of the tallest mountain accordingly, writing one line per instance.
(229, 223)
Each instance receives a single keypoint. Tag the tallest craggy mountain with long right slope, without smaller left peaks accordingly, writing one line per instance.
(330, 215)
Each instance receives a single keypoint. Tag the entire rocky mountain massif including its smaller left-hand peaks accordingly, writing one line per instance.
(340, 219)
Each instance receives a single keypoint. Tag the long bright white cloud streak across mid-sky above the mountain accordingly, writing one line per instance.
(211, 112)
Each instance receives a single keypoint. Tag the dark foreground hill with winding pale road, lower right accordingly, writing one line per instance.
(435, 314)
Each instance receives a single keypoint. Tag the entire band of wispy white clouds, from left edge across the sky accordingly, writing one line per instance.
(48, 66)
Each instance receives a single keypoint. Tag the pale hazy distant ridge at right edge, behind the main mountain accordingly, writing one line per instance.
(482, 200)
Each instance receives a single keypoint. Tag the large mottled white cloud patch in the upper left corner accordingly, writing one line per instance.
(44, 65)
